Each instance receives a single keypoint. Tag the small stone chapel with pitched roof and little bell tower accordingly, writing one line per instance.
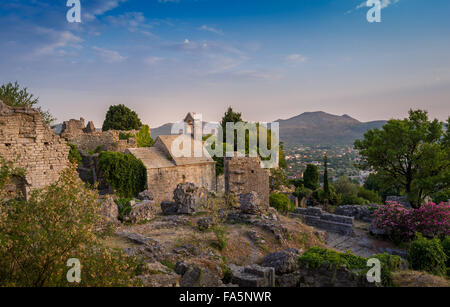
(165, 170)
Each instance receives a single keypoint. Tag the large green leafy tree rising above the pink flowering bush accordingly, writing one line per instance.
(414, 152)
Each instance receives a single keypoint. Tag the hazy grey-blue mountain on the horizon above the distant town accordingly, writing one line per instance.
(320, 128)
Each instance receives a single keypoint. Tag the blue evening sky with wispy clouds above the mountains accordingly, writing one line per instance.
(269, 59)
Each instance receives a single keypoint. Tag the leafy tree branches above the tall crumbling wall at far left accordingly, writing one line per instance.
(14, 96)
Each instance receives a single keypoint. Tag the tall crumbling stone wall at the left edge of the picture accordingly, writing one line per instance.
(40, 152)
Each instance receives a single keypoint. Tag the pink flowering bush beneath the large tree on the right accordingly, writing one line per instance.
(400, 224)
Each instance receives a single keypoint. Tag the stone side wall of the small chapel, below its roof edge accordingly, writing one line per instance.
(162, 182)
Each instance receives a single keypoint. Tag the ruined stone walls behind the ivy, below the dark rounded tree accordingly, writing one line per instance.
(88, 138)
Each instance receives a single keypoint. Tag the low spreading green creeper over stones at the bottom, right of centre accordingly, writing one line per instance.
(315, 257)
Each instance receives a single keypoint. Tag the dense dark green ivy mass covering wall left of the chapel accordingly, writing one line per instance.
(124, 172)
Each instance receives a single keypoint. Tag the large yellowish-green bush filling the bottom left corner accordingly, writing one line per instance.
(57, 223)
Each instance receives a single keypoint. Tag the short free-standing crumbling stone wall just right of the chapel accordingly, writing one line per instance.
(244, 175)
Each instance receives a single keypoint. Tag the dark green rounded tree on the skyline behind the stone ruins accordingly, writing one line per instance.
(121, 117)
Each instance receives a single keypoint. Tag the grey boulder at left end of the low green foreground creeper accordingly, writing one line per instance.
(283, 262)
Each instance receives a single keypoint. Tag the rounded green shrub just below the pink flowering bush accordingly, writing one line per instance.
(427, 255)
